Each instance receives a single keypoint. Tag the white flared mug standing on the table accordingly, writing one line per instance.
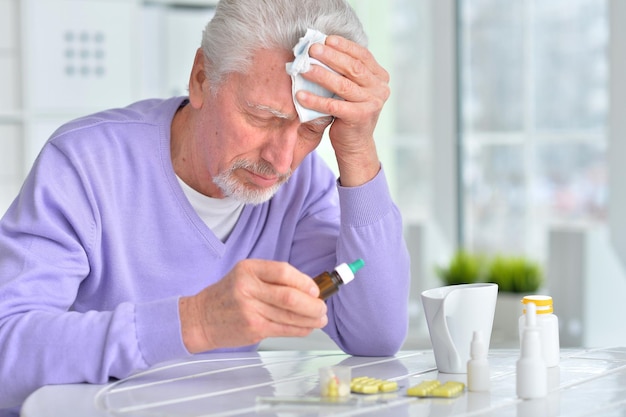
(453, 313)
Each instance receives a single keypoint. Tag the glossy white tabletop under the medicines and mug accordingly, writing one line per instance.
(589, 382)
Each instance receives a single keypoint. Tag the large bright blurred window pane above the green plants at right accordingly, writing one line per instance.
(534, 103)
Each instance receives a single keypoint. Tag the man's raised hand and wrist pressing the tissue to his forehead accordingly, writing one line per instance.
(363, 86)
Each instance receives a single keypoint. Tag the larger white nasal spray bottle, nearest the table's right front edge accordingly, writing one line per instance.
(532, 373)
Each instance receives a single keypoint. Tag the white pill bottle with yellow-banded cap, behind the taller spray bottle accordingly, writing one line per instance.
(548, 326)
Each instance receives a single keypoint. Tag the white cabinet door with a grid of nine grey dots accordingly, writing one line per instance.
(78, 55)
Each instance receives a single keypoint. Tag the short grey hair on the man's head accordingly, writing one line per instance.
(242, 27)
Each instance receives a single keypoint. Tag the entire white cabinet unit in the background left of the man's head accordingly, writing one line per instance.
(61, 59)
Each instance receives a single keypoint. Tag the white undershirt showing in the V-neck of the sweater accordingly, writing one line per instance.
(219, 214)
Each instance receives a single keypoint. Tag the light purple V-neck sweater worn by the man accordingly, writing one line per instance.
(101, 242)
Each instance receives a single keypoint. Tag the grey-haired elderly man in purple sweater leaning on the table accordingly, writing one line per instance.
(195, 224)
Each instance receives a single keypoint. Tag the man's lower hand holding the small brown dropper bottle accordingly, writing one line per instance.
(255, 300)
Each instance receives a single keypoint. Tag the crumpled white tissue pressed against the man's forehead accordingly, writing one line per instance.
(302, 63)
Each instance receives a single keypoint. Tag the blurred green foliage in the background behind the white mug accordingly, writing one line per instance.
(514, 274)
